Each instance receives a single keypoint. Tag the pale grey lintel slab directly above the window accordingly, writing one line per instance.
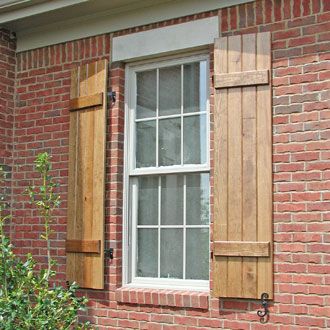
(166, 39)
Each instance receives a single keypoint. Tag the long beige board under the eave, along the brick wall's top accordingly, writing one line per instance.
(92, 25)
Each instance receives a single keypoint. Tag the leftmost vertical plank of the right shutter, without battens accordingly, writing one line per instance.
(220, 169)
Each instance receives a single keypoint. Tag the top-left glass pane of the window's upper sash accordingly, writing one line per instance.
(146, 94)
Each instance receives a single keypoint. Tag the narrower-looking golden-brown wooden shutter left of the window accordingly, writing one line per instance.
(85, 227)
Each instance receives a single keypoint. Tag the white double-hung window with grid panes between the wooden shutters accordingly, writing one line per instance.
(166, 241)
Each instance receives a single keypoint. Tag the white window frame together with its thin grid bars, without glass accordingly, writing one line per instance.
(130, 229)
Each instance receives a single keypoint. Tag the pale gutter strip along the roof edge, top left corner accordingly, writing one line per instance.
(36, 9)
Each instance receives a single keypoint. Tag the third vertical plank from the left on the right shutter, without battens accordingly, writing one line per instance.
(249, 265)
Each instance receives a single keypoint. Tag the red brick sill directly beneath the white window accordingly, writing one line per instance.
(161, 297)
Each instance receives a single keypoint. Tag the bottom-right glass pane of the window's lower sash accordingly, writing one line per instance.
(197, 253)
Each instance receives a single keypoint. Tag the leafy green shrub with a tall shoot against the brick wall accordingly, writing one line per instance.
(27, 299)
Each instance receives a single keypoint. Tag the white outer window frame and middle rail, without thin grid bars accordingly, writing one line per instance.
(131, 69)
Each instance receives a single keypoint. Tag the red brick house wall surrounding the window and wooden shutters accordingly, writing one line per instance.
(301, 150)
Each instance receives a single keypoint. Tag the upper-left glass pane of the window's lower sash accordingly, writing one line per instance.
(148, 200)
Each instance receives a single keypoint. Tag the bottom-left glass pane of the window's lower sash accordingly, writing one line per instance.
(147, 256)
